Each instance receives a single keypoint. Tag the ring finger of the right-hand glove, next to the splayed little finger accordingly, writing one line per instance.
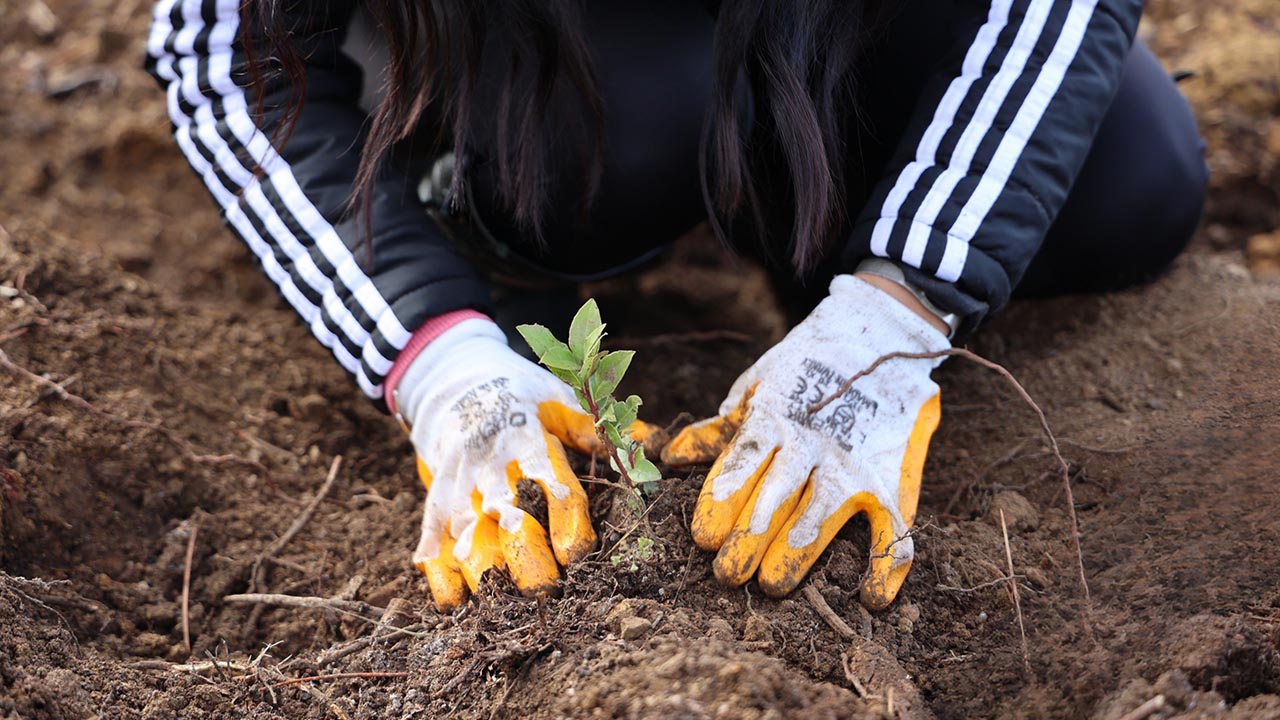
(806, 535)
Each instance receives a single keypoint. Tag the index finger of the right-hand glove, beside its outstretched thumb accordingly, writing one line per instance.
(730, 485)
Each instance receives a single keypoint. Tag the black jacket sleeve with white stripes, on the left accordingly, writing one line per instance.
(362, 304)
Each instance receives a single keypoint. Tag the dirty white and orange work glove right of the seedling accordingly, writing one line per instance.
(785, 481)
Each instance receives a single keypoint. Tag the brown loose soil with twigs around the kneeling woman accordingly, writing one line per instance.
(118, 282)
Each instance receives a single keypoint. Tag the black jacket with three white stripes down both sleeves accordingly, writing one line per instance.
(989, 110)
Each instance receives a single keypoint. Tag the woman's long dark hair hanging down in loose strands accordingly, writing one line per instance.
(797, 57)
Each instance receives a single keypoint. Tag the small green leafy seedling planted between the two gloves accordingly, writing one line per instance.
(595, 375)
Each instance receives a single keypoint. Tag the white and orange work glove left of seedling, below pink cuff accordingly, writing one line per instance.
(482, 418)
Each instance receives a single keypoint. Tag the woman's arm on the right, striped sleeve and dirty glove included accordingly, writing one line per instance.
(996, 143)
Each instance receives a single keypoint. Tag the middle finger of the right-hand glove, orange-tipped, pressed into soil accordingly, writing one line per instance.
(771, 505)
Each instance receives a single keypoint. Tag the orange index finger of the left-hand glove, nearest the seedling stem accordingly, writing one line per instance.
(568, 514)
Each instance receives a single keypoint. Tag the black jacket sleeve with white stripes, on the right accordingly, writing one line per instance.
(994, 147)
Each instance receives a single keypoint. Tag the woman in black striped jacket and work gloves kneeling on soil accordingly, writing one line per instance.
(907, 165)
